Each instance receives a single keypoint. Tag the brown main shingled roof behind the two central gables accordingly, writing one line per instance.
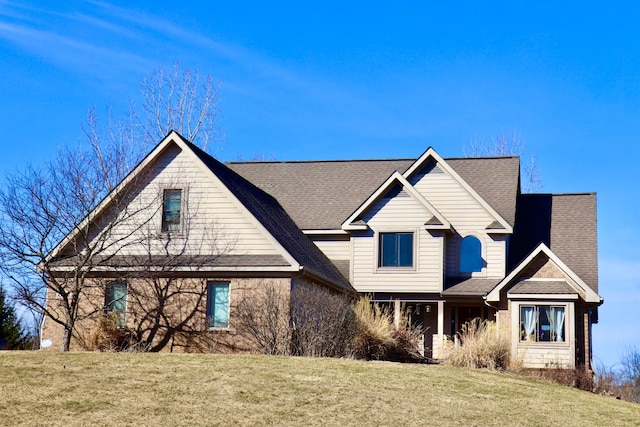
(320, 195)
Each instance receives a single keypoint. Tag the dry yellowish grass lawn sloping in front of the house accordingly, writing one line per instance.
(38, 388)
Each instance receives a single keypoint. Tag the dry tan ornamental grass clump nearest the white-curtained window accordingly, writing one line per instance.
(481, 344)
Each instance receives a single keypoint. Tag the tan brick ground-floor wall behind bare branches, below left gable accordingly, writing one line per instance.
(182, 327)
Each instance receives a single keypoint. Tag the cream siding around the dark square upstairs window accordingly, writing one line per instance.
(399, 214)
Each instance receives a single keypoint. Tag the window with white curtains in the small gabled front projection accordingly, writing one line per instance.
(542, 323)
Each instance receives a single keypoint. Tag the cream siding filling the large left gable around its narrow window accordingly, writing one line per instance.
(212, 222)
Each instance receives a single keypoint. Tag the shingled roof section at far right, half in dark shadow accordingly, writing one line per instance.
(566, 223)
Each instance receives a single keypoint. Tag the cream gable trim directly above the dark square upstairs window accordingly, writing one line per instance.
(437, 221)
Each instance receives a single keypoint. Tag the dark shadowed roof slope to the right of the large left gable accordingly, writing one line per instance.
(274, 218)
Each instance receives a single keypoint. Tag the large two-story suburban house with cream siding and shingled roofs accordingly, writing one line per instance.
(448, 239)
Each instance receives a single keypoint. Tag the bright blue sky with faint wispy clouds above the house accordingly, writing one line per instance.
(362, 80)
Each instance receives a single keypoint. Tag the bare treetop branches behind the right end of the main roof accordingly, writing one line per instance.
(509, 144)
